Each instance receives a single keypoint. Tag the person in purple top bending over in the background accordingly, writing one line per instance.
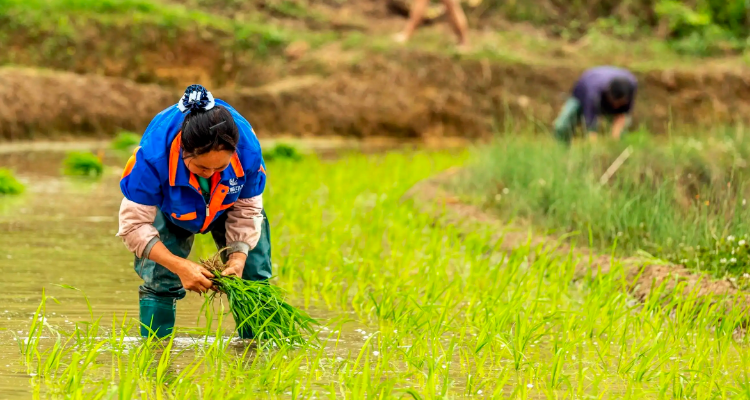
(606, 90)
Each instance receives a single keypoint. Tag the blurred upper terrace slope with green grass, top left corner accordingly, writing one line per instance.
(147, 41)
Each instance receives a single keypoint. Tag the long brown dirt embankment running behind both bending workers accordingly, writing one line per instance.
(399, 93)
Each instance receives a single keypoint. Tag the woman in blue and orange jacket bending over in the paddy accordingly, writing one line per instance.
(198, 169)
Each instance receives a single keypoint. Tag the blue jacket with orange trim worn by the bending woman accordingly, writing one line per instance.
(156, 175)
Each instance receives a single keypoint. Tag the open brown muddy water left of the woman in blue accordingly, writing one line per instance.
(61, 233)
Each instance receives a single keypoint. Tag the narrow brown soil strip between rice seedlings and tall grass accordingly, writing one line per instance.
(430, 196)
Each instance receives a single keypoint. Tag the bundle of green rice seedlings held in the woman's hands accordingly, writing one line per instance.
(260, 307)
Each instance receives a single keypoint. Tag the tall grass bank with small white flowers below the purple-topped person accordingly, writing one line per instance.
(682, 198)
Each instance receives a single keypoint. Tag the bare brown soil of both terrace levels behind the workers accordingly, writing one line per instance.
(335, 89)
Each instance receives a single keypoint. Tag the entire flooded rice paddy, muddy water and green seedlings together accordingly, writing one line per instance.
(411, 308)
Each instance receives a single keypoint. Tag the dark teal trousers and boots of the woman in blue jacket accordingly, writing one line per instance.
(162, 288)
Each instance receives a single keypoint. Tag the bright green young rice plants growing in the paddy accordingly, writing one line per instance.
(413, 310)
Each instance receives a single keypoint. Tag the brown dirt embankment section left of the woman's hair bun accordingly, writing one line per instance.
(42, 103)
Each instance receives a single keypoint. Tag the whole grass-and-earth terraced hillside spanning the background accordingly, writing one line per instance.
(257, 55)
